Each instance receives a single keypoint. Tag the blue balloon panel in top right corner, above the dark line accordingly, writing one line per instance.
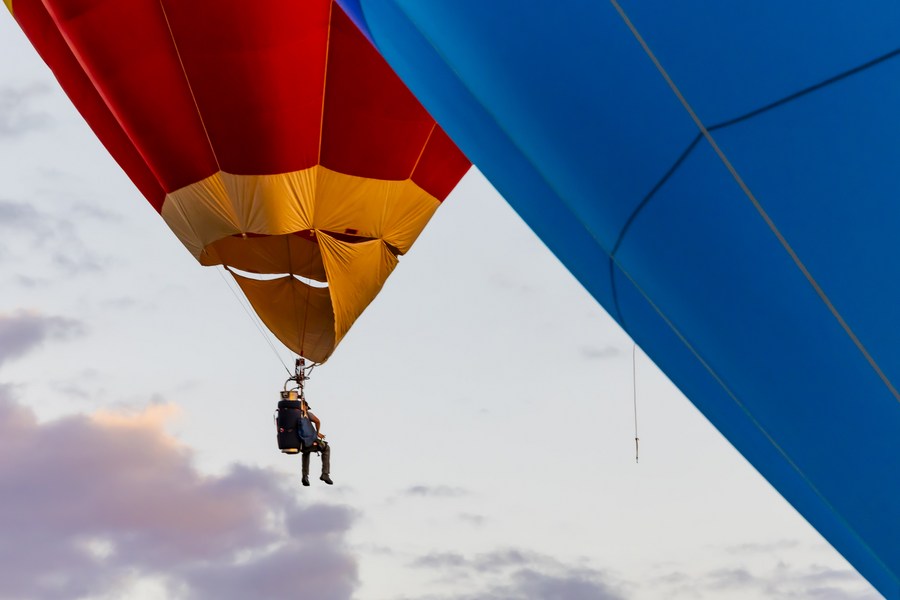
(729, 58)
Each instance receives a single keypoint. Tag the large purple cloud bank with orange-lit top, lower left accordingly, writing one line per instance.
(93, 503)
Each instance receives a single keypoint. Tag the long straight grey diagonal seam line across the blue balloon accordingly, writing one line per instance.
(756, 204)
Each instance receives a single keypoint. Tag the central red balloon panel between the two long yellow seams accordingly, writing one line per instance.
(257, 69)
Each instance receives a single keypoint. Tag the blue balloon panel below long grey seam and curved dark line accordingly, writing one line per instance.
(739, 300)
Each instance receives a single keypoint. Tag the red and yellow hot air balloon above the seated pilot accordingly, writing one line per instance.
(270, 136)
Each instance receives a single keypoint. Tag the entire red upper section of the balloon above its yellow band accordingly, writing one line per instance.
(256, 71)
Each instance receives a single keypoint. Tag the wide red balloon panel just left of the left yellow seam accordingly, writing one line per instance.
(126, 49)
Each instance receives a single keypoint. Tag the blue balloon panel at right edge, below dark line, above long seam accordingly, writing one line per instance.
(824, 168)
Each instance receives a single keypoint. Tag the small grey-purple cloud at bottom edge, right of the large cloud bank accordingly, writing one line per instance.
(519, 575)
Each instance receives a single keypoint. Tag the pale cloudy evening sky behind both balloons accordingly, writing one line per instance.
(481, 414)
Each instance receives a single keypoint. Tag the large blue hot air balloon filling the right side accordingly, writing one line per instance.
(722, 178)
